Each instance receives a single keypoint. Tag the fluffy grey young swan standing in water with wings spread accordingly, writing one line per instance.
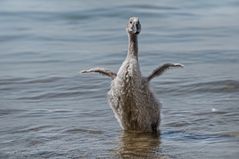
(130, 98)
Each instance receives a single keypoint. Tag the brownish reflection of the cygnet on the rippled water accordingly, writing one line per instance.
(139, 145)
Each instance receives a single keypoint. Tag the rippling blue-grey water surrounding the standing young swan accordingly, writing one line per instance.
(49, 110)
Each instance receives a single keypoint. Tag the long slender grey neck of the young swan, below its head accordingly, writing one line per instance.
(133, 46)
